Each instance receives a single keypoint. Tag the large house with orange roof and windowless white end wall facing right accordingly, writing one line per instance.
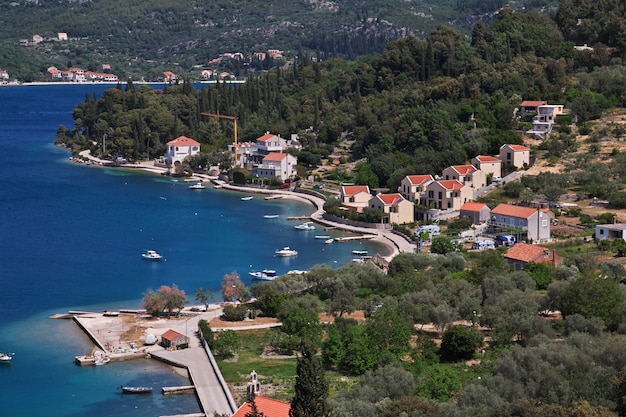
(525, 222)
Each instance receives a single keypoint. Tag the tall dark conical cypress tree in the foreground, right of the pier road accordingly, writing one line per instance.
(311, 385)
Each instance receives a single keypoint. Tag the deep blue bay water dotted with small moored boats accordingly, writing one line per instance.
(71, 238)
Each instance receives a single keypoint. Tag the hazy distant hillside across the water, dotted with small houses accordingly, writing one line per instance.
(143, 38)
